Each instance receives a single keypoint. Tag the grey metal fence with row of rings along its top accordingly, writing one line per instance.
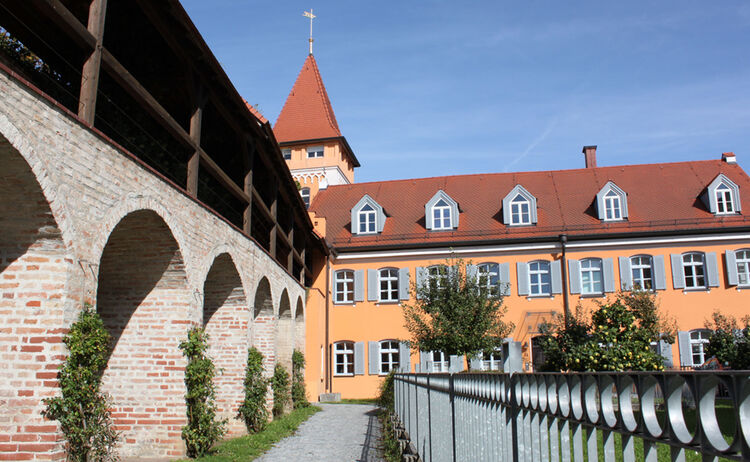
(575, 416)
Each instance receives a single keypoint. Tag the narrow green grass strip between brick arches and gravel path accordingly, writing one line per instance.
(249, 447)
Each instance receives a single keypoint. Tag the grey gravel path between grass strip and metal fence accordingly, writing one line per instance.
(338, 433)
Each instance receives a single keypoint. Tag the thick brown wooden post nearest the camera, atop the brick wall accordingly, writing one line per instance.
(92, 65)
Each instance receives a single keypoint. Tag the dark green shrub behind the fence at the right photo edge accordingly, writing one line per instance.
(728, 342)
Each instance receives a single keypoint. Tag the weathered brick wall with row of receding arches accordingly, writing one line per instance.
(82, 220)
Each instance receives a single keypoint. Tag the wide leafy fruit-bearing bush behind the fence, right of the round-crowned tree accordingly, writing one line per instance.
(617, 336)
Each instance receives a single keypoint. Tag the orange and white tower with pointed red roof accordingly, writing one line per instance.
(316, 152)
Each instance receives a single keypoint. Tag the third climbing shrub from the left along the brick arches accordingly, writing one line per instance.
(253, 409)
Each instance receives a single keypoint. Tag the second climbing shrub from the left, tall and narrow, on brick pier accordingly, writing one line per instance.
(202, 429)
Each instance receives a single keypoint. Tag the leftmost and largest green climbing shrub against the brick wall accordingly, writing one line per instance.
(83, 410)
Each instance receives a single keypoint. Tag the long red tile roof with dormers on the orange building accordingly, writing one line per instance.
(661, 197)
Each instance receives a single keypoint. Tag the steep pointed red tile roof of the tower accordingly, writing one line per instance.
(307, 113)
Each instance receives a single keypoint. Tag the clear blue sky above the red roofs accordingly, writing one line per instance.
(428, 88)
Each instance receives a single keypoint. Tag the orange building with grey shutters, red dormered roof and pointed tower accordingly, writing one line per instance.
(550, 240)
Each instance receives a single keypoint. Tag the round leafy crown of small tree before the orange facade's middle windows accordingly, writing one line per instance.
(455, 313)
